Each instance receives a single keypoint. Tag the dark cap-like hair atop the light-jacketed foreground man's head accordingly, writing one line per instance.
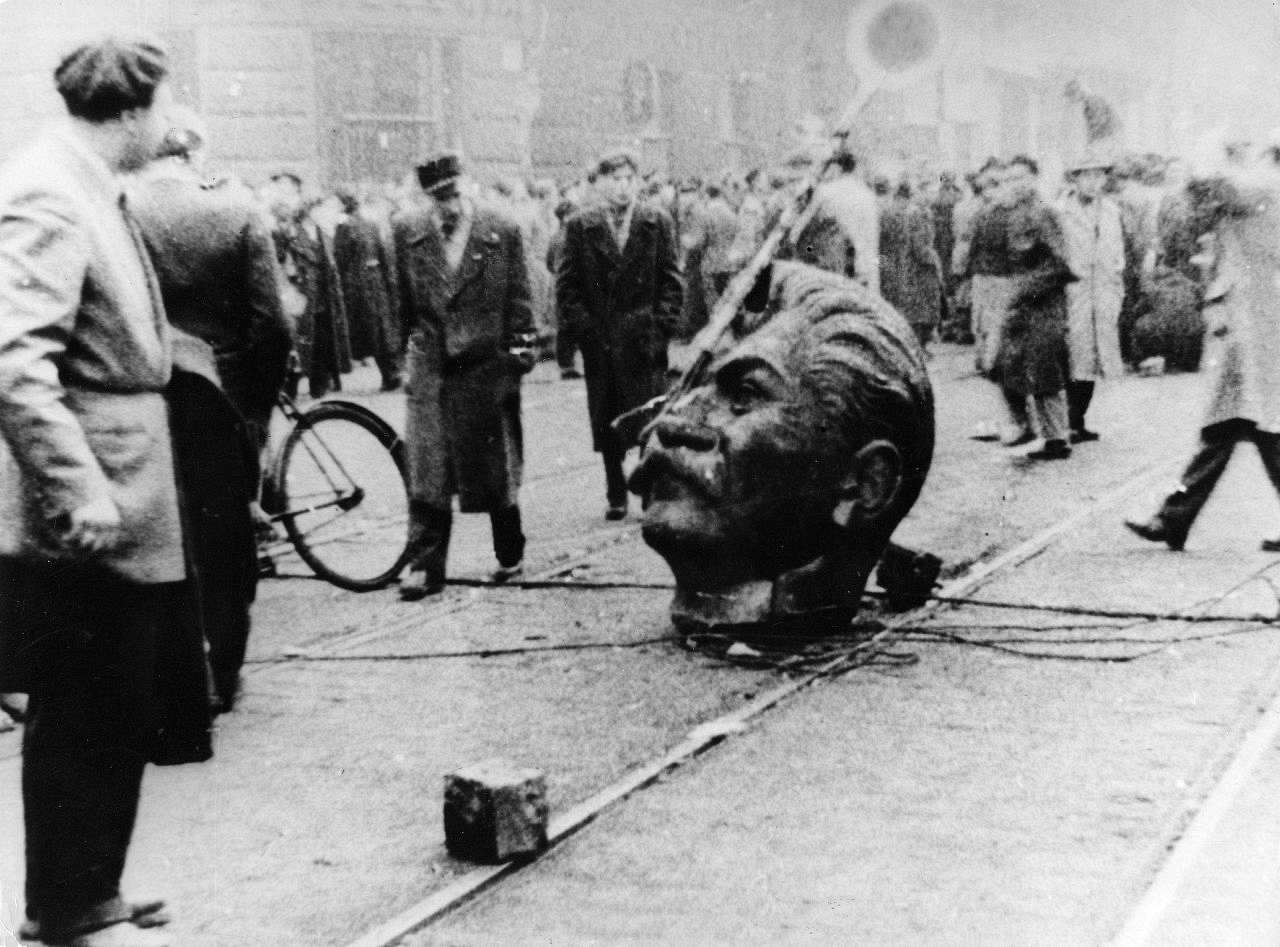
(102, 81)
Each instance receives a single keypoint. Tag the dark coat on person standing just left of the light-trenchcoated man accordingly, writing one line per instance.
(1034, 355)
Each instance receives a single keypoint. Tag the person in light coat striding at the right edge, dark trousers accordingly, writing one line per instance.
(1242, 349)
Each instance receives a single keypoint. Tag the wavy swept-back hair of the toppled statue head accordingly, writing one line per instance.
(863, 362)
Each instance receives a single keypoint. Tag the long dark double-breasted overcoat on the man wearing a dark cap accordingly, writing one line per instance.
(463, 429)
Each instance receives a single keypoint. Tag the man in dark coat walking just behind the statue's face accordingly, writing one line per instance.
(619, 289)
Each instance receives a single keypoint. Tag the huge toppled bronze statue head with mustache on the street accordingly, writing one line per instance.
(772, 488)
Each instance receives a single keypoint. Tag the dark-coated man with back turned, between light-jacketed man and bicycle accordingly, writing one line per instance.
(214, 258)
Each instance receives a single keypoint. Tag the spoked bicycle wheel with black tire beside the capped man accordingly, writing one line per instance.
(344, 496)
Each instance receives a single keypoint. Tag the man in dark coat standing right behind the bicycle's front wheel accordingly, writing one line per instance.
(305, 253)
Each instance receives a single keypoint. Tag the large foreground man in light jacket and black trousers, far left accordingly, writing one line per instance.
(98, 617)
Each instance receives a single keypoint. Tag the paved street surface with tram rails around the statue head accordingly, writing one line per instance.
(976, 797)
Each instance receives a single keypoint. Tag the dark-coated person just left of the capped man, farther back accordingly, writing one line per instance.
(368, 290)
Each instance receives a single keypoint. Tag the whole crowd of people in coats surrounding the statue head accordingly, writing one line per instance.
(149, 318)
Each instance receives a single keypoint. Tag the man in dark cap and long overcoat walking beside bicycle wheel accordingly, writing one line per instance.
(468, 315)
